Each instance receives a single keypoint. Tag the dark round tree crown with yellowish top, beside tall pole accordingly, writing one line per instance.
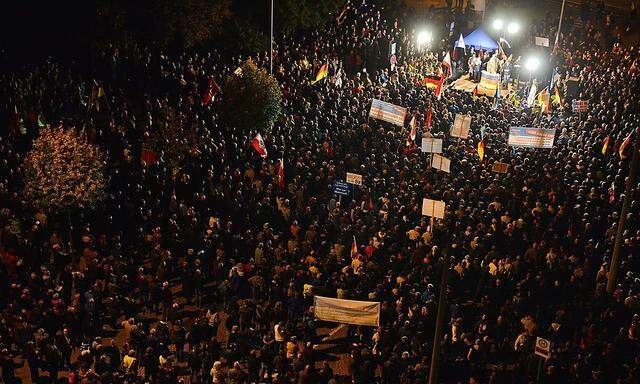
(251, 99)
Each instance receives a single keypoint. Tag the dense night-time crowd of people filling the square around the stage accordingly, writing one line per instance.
(206, 272)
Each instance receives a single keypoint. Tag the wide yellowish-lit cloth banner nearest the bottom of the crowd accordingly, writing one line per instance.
(347, 311)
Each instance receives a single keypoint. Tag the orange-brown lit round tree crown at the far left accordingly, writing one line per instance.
(63, 171)
